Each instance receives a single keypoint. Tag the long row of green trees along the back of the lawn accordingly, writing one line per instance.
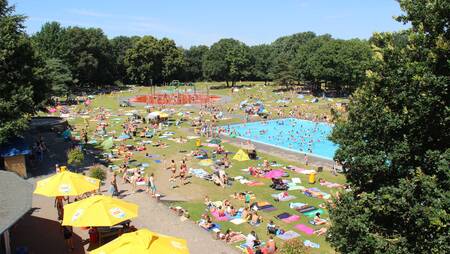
(85, 57)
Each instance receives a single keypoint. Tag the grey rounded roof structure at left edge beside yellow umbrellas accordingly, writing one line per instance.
(15, 202)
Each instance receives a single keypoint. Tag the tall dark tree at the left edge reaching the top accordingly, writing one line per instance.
(22, 86)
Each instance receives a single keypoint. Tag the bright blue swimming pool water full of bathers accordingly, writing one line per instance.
(293, 134)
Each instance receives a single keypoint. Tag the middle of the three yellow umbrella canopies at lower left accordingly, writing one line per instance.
(98, 211)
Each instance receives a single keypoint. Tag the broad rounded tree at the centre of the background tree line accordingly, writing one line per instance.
(228, 60)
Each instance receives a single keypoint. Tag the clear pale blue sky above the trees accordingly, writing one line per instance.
(193, 22)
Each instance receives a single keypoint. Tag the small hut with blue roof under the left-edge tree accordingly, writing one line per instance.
(14, 156)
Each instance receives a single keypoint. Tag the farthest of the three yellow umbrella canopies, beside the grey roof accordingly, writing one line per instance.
(66, 183)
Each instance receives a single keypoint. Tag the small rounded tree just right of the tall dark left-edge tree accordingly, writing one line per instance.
(59, 76)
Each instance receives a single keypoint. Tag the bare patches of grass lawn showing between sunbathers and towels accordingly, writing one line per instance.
(195, 205)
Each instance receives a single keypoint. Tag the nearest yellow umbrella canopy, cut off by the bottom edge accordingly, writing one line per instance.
(144, 241)
